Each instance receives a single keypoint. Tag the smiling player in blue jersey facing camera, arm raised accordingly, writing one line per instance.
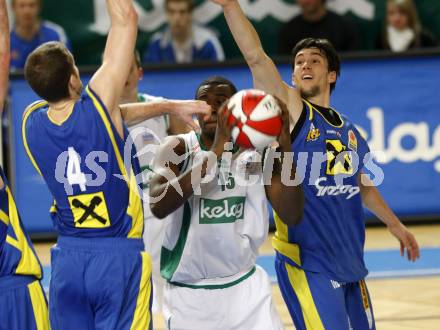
(319, 262)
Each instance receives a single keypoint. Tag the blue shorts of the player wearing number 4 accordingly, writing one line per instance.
(100, 283)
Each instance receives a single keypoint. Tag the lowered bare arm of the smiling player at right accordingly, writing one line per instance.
(373, 200)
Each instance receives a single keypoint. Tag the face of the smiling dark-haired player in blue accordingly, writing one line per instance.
(310, 73)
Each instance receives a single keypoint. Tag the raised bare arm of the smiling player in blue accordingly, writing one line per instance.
(264, 72)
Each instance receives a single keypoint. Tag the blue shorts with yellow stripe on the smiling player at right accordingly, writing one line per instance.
(316, 302)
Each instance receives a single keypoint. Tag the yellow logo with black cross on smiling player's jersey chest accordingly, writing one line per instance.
(338, 158)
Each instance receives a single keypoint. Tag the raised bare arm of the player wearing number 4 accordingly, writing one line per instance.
(110, 78)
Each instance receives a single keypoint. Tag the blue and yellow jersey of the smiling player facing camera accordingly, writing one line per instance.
(330, 152)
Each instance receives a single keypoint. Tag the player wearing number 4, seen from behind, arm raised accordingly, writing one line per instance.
(101, 277)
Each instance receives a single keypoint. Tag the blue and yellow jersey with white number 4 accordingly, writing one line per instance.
(89, 169)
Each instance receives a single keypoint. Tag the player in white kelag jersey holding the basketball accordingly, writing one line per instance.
(212, 240)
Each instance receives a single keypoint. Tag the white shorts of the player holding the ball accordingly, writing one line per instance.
(247, 305)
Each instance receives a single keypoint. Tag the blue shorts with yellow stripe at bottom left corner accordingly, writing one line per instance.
(23, 305)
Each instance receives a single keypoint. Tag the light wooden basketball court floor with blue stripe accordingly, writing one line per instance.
(405, 295)
